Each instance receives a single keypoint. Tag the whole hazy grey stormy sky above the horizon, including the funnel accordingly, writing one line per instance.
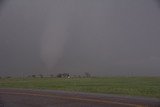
(102, 37)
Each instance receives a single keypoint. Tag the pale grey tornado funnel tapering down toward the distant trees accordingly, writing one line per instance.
(55, 33)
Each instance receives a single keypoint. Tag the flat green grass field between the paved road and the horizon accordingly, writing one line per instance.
(133, 86)
